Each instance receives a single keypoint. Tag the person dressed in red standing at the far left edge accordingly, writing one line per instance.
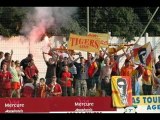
(5, 81)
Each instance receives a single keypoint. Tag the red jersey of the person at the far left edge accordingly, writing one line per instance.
(5, 80)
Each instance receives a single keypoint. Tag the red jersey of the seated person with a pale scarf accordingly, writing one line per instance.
(55, 89)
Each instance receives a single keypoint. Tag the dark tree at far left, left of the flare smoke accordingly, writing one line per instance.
(11, 20)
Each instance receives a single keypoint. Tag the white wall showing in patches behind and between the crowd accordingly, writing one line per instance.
(20, 46)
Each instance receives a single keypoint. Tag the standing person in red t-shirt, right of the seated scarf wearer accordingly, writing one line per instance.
(66, 80)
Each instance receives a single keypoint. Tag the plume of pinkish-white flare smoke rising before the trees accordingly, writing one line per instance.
(42, 18)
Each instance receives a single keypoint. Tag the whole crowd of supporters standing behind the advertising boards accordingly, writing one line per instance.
(67, 77)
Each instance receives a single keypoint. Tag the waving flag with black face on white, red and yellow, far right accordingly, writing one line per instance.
(143, 55)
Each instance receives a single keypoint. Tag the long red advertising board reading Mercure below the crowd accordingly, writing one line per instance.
(56, 105)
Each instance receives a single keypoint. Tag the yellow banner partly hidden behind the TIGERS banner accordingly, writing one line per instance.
(104, 38)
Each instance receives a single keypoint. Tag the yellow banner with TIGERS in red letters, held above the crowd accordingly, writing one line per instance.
(84, 43)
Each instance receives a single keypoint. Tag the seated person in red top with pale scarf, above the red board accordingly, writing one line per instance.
(54, 88)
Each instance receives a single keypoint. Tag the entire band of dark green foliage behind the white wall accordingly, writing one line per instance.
(125, 22)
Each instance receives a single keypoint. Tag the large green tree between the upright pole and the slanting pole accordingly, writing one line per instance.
(120, 21)
